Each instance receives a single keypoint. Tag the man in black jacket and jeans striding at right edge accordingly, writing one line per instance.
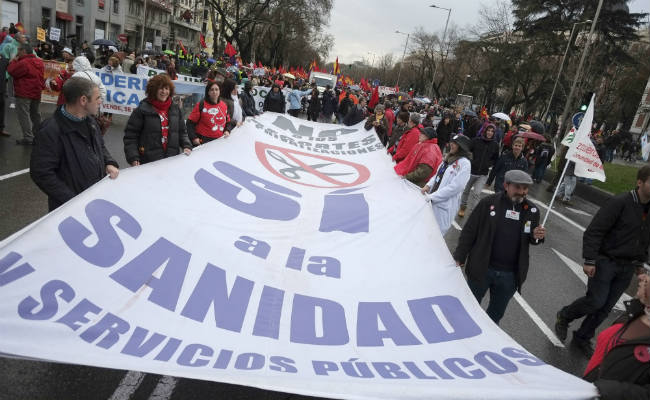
(614, 247)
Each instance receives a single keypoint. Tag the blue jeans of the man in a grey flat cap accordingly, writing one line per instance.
(502, 285)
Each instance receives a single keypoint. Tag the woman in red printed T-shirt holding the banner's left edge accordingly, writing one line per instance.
(209, 119)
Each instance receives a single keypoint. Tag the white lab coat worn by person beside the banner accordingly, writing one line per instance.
(446, 200)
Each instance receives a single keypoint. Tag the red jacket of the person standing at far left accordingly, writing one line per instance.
(28, 73)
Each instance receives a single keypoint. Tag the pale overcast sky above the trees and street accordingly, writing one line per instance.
(362, 26)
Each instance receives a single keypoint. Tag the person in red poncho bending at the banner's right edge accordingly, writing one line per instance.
(423, 161)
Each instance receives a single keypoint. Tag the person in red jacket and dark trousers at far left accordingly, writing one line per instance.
(27, 71)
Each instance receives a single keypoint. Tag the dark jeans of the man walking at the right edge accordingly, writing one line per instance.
(603, 291)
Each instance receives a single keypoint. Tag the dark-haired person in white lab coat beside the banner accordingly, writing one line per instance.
(445, 188)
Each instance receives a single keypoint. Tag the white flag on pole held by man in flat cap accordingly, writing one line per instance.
(582, 150)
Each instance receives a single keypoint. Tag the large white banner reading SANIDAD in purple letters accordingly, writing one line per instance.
(288, 256)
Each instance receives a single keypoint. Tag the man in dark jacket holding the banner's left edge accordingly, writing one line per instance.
(69, 154)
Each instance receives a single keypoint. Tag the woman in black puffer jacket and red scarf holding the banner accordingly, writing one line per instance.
(155, 129)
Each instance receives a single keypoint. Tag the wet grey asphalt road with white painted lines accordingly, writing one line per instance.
(551, 284)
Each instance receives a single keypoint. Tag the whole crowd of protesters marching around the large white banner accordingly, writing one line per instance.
(450, 154)
